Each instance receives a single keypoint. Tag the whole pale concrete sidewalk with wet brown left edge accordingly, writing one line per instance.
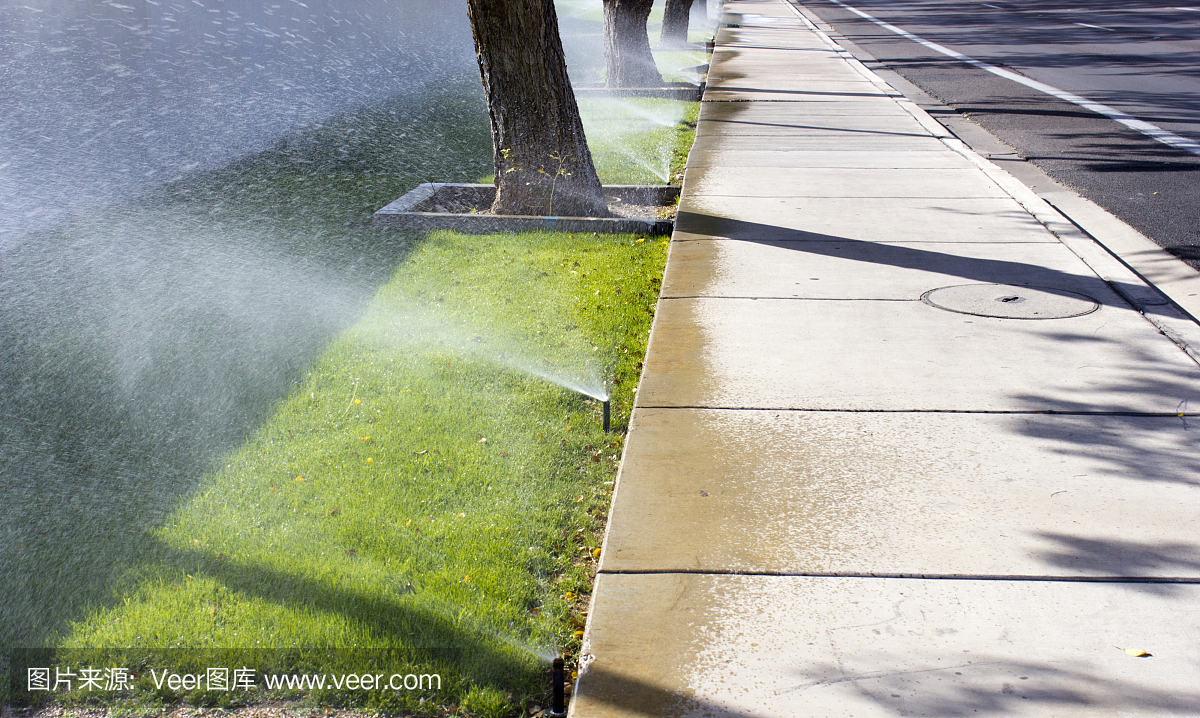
(898, 448)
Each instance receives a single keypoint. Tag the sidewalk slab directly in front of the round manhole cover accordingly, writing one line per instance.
(908, 356)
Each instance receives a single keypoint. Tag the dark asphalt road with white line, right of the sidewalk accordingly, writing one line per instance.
(1139, 57)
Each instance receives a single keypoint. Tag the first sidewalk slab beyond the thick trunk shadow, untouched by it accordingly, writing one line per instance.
(843, 183)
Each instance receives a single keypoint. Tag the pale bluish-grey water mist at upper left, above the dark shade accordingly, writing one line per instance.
(104, 99)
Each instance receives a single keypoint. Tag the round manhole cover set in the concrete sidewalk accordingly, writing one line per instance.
(1007, 302)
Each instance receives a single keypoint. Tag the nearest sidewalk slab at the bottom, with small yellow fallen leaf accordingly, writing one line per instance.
(741, 647)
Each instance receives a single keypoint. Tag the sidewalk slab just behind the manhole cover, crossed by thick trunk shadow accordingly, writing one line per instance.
(849, 270)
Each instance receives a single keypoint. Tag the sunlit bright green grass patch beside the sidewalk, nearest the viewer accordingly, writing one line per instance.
(416, 506)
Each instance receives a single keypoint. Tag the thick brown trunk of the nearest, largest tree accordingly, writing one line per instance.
(543, 164)
